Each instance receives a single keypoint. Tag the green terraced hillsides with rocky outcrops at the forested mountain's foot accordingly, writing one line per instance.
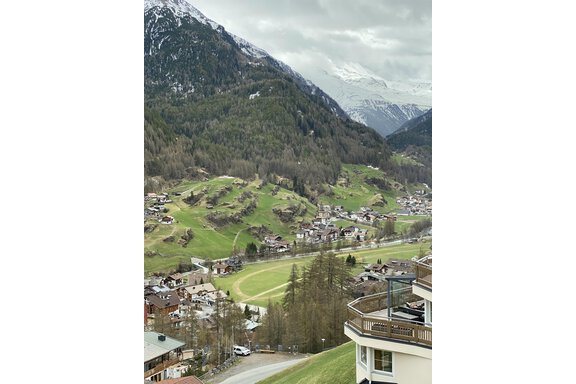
(218, 217)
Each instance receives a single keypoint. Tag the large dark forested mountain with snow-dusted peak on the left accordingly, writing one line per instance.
(214, 101)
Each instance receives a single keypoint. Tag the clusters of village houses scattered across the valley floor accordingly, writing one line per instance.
(181, 294)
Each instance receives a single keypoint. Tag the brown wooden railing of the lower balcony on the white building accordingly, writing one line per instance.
(362, 318)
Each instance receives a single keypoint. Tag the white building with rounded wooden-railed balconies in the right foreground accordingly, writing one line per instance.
(393, 330)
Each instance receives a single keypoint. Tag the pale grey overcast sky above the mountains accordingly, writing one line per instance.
(391, 38)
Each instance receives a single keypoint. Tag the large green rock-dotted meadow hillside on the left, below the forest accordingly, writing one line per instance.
(210, 242)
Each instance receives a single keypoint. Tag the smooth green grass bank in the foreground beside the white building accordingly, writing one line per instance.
(335, 366)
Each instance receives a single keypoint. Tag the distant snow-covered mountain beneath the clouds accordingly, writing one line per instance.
(369, 99)
